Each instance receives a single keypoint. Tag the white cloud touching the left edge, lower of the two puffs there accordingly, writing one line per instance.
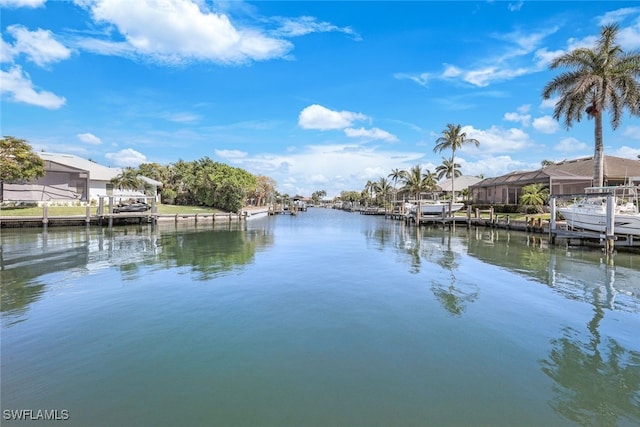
(17, 87)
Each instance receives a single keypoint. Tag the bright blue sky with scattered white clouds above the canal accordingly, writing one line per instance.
(317, 95)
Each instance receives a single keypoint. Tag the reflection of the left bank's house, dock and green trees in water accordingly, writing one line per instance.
(28, 255)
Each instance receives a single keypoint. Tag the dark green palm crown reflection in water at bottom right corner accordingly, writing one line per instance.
(594, 386)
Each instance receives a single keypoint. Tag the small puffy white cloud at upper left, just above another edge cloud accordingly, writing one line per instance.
(39, 46)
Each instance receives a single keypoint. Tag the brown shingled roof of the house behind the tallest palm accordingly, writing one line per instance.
(578, 169)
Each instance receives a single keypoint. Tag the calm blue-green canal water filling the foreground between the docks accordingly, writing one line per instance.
(326, 318)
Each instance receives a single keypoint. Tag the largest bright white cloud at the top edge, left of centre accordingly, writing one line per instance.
(176, 31)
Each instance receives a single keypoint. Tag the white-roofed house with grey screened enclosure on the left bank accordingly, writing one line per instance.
(71, 178)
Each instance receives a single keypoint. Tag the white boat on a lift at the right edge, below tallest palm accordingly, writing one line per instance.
(589, 212)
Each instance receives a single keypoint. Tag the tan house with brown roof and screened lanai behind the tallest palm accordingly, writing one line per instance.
(566, 177)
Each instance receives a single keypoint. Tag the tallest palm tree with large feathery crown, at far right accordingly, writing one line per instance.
(601, 78)
